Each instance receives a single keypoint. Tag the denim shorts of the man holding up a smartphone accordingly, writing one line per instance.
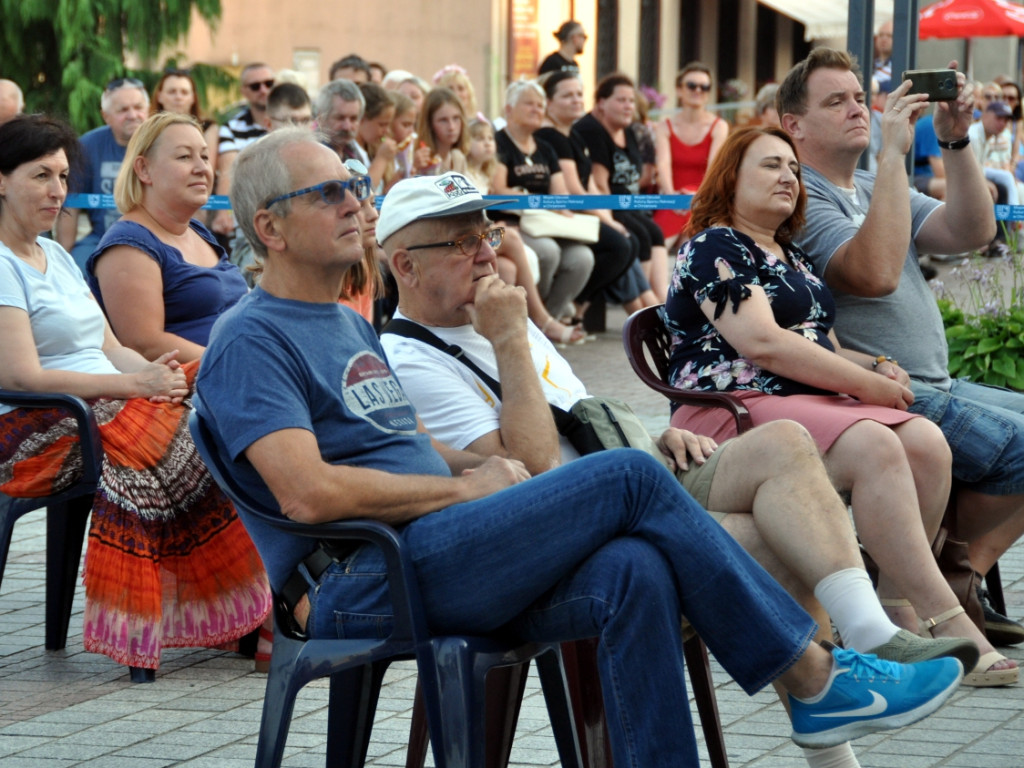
(985, 428)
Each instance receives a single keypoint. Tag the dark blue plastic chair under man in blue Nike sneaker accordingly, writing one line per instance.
(452, 670)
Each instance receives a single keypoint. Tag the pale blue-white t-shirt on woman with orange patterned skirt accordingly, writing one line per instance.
(67, 324)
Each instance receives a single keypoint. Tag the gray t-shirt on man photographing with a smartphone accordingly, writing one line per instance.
(907, 324)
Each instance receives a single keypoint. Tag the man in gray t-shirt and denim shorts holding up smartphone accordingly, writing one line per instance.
(865, 233)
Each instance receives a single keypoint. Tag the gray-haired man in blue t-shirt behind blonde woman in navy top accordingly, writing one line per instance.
(124, 107)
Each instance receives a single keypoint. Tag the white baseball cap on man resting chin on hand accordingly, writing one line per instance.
(429, 198)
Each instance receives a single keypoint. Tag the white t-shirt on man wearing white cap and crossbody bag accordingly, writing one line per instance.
(455, 406)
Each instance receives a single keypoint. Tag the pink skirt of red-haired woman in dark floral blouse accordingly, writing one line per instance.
(826, 417)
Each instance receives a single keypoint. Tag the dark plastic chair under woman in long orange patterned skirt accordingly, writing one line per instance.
(67, 514)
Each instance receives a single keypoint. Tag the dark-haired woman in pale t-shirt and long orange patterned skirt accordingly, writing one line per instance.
(168, 562)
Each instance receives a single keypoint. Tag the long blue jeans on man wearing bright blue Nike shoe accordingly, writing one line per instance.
(610, 546)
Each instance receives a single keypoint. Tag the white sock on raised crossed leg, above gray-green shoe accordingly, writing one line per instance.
(849, 599)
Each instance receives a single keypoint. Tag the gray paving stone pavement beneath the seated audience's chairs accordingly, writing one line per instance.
(69, 708)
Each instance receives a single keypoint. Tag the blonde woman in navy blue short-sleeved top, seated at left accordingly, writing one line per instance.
(160, 275)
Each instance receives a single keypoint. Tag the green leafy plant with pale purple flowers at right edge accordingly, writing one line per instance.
(984, 316)
